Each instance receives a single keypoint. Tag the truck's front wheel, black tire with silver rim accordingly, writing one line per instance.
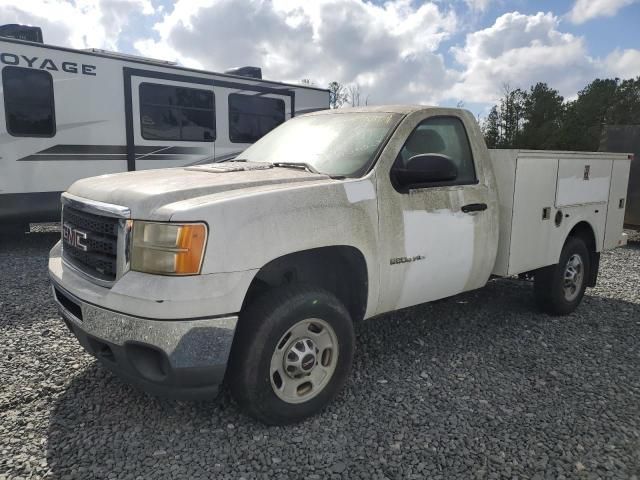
(291, 355)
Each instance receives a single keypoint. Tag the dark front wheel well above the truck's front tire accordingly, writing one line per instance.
(341, 270)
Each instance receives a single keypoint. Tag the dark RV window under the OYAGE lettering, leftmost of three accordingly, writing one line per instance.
(28, 102)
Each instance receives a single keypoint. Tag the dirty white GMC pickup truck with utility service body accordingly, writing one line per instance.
(254, 270)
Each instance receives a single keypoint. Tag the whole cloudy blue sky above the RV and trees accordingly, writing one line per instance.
(396, 51)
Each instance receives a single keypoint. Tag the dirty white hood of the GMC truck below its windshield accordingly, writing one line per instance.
(144, 192)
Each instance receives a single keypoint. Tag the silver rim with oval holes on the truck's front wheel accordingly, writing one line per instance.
(304, 360)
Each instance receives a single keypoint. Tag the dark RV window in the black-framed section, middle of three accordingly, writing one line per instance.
(176, 113)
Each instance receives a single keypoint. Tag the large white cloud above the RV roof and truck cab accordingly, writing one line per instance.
(390, 49)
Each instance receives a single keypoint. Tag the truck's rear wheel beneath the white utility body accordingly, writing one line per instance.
(559, 288)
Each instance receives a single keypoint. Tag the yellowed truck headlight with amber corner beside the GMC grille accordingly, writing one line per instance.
(168, 248)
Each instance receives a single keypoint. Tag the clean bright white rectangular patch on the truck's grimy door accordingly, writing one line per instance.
(446, 240)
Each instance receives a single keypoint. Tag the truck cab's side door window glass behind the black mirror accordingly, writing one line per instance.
(445, 136)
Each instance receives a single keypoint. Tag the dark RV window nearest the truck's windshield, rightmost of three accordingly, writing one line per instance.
(251, 117)
